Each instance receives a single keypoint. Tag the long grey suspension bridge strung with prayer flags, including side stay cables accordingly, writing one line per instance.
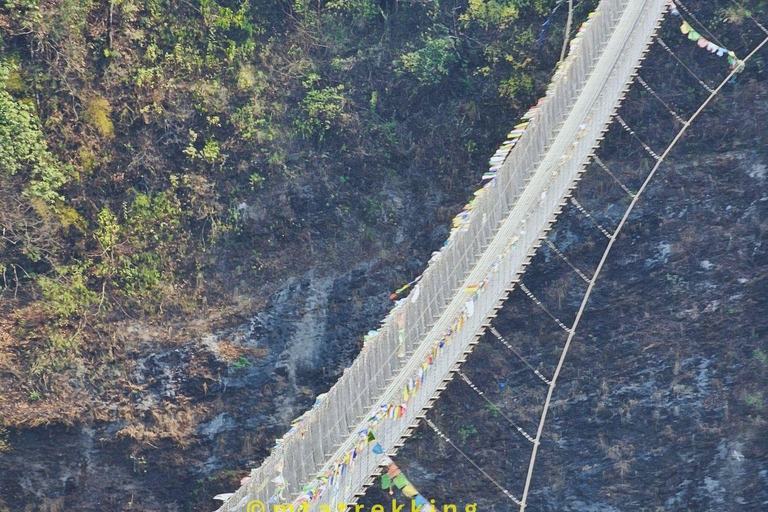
(335, 450)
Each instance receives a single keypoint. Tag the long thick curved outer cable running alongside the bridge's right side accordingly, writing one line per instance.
(600, 265)
